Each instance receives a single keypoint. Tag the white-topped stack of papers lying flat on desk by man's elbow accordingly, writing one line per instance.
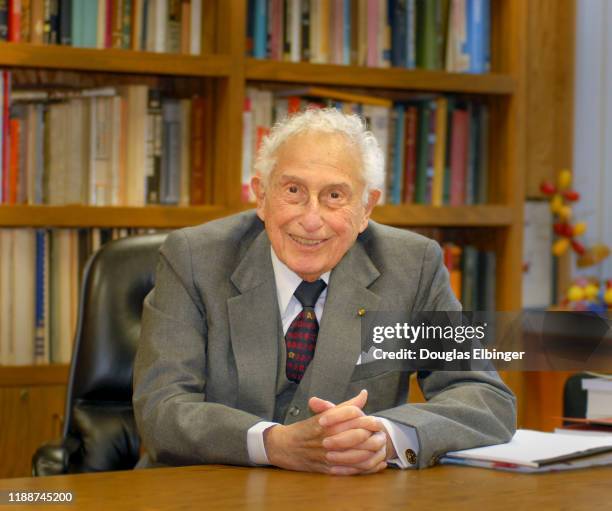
(536, 451)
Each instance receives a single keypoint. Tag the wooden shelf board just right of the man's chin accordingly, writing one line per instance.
(444, 216)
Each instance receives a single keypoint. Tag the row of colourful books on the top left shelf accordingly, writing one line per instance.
(171, 26)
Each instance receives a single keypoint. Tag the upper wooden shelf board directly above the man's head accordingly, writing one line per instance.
(391, 78)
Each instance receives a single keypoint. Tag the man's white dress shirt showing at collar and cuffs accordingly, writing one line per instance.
(403, 437)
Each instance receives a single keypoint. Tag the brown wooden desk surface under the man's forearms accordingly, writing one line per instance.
(221, 487)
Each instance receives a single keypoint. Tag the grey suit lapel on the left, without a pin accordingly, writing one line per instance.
(253, 318)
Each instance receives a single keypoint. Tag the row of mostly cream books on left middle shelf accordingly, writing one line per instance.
(112, 146)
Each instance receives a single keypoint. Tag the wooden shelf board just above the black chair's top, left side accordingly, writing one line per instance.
(92, 216)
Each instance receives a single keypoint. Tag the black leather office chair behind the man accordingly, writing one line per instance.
(99, 429)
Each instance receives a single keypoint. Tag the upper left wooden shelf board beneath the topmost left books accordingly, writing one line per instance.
(110, 60)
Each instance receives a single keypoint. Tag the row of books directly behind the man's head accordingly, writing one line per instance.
(436, 147)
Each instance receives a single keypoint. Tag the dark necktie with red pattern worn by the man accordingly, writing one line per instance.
(301, 336)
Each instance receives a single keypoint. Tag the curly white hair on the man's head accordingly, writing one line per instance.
(326, 120)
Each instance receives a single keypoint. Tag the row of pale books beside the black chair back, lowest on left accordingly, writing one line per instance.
(40, 273)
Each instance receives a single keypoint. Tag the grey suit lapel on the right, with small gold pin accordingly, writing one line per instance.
(339, 339)
